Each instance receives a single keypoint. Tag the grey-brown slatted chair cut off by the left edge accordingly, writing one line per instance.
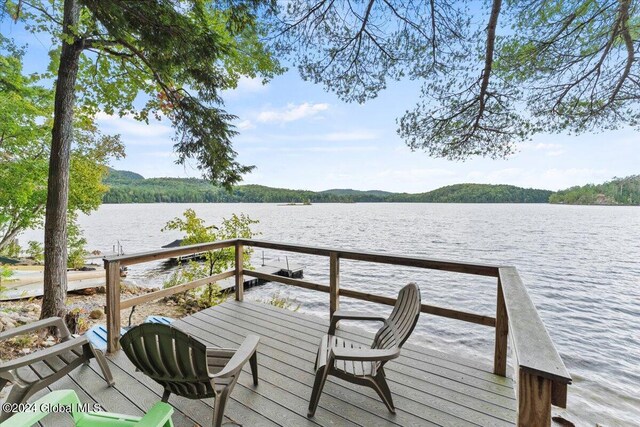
(25, 372)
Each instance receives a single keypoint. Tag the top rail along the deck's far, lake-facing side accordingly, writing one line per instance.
(434, 264)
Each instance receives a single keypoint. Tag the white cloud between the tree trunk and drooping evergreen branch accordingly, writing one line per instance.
(132, 129)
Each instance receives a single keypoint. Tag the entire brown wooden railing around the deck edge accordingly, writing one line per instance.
(540, 375)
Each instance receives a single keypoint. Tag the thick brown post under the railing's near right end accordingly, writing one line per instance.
(534, 399)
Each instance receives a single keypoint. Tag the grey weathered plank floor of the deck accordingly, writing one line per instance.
(429, 387)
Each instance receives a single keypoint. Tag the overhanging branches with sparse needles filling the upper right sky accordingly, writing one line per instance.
(493, 73)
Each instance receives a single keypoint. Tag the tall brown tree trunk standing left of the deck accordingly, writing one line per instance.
(55, 226)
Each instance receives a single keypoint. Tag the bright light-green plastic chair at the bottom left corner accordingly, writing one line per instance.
(158, 416)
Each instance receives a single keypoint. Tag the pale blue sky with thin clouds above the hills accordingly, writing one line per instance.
(299, 136)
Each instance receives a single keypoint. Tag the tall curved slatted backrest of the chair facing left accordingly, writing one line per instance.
(402, 319)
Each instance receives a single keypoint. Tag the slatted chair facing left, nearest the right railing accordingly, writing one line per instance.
(363, 365)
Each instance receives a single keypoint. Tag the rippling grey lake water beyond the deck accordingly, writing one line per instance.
(581, 265)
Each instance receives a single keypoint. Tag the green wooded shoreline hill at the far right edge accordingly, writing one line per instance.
(618, 191)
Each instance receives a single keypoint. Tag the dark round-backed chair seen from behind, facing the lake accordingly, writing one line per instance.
(186, 367)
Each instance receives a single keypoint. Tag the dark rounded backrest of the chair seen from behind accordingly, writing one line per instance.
(172, 358)
